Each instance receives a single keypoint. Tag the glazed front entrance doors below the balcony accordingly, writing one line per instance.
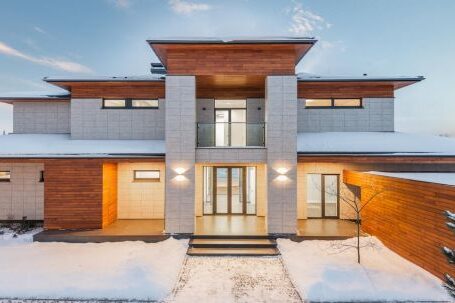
(229, 191)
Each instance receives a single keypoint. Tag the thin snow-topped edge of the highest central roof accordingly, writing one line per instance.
(233, 40)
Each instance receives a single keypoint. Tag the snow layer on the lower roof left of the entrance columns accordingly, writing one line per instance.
(55, 146)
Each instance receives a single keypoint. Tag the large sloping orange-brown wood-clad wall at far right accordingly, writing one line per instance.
(408, 217)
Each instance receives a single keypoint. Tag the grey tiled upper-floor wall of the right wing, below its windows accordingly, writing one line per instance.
(377, 114)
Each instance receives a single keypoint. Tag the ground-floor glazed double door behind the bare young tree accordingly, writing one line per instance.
(322, 196)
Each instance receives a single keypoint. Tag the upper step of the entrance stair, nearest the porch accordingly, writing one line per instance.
(233, 243)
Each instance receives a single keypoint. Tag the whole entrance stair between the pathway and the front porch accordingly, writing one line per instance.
(206, 245)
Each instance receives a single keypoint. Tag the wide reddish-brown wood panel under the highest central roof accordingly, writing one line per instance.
(231, 60)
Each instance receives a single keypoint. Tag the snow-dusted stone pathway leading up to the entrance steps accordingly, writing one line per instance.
(234, 279)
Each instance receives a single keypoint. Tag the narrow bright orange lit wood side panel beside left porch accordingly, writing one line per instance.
(109, 193)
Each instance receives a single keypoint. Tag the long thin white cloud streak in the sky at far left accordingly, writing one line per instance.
(64, 65)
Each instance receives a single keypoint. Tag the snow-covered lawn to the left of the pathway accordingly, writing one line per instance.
(126, 270)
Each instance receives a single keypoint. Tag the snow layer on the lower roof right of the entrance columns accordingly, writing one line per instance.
(394, 143)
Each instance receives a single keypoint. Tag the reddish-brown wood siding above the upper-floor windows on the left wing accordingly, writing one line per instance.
(115, 89)
